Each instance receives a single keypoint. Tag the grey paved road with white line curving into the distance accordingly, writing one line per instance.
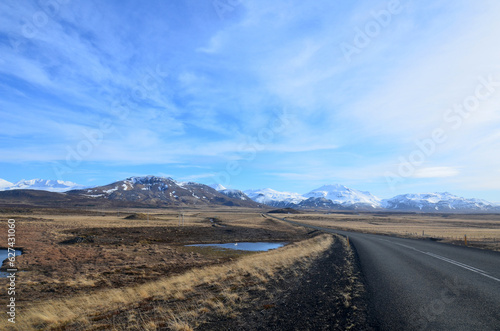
(427, 285)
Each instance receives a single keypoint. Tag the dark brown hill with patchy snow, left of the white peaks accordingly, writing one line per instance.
(147, 191)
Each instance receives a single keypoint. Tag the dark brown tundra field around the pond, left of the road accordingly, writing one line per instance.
(118, 252)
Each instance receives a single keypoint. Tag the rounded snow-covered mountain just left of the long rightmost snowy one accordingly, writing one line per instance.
(345, 196)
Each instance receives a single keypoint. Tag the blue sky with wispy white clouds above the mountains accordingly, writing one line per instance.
(390, 97)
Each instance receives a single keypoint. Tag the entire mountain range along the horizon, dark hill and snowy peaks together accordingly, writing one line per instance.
(165, 192)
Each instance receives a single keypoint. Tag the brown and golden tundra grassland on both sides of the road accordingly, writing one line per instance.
(130, 269)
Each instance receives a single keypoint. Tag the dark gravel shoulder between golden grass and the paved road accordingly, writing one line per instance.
(314, 301)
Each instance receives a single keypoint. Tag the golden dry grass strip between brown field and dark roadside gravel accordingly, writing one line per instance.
(178, 302)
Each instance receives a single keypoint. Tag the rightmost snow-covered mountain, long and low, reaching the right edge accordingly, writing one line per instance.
(430, 202)
